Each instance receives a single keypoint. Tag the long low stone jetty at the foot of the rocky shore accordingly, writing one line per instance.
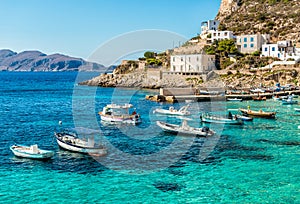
(174, 95)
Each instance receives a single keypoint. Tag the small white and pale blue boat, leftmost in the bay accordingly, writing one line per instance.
(31, 152)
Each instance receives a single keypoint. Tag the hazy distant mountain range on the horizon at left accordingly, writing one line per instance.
(38, 61)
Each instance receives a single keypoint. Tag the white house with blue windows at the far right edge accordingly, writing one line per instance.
(282, 49)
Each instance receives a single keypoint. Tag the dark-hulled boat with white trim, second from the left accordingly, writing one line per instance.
(69, 139)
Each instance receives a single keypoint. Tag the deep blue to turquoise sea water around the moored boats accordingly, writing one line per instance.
(255, 163)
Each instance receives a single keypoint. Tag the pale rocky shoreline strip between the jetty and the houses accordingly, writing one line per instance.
(227, 78)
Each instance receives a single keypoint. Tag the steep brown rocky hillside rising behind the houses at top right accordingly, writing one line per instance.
(280, 18)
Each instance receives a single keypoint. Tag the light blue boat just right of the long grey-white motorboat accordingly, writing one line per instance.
(205, 117)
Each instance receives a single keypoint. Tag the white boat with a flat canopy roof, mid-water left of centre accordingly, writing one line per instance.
(119, 114)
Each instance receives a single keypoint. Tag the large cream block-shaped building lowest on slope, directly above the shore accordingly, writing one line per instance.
(192, 63)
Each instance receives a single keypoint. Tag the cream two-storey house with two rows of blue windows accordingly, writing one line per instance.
(251, 43)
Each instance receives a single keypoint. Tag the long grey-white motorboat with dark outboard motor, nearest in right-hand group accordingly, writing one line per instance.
(185, 129)
